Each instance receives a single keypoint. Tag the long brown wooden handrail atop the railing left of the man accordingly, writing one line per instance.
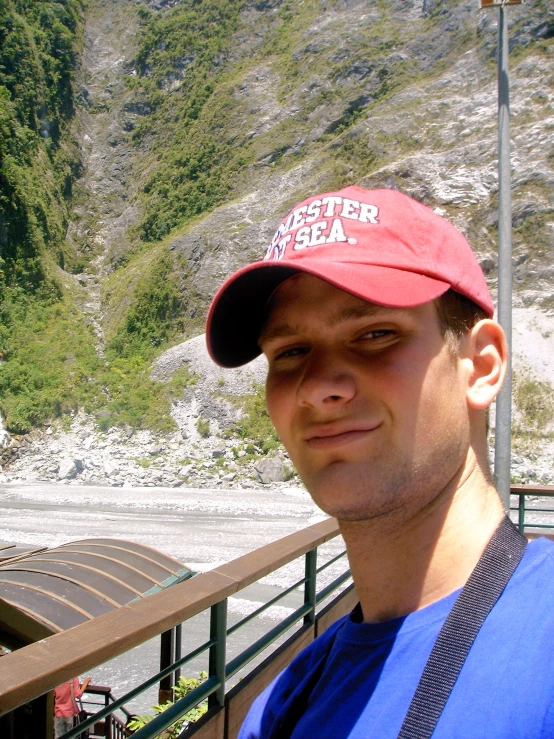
(40, 667)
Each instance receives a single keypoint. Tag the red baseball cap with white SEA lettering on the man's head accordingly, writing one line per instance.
(379, 245)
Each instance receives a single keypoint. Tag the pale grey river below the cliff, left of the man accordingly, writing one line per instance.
(201, 528)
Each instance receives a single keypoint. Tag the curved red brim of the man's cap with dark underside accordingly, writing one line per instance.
(237, 312)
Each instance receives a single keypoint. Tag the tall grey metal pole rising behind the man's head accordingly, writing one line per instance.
(503, 426)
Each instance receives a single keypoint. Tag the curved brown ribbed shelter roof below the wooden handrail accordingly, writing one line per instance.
(46, 591)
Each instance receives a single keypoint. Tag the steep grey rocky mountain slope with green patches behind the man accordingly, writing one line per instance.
(198, 127)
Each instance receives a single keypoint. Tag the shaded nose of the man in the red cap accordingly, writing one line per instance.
(325, 383)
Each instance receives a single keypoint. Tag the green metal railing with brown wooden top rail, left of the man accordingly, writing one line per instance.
(39, 667)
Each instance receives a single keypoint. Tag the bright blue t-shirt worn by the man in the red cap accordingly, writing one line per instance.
(357, 679)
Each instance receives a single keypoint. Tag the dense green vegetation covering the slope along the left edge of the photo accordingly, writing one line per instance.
(48, 362)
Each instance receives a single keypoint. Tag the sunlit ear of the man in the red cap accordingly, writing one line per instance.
(487, 353)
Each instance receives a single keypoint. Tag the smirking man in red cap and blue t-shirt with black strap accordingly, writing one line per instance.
(375, 319)
